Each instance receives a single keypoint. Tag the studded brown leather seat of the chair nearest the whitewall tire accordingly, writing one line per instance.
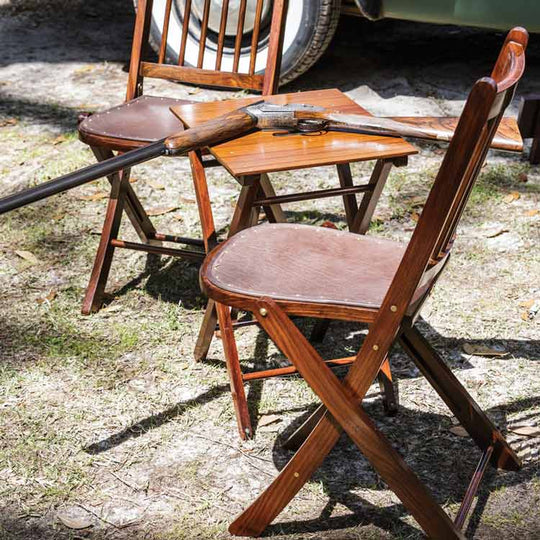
(135, 123)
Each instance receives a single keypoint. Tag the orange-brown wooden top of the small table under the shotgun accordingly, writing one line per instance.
(261, 152)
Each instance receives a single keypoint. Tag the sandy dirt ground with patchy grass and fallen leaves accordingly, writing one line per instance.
(108, 429)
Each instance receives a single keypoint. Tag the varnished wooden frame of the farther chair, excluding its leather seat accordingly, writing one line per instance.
(138, 71)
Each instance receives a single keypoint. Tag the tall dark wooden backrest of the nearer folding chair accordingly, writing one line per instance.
(434, 234)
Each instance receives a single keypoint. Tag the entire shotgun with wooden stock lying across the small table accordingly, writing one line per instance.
(292, 118)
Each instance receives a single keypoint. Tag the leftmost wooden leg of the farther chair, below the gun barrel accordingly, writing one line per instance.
(102, 264)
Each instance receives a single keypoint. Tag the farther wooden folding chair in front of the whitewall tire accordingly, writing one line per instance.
(143, 119)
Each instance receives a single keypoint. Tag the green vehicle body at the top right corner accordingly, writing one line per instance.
(496, 14)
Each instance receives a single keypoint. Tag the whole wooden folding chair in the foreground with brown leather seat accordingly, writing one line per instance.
(279, 270)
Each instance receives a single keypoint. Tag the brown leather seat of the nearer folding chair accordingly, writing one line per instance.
(306, 264)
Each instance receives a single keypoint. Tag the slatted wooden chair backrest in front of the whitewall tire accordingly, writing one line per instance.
(227, 32)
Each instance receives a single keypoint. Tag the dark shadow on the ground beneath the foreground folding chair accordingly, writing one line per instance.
(446, 463)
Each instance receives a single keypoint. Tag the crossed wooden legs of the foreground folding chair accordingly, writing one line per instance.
(344, 412)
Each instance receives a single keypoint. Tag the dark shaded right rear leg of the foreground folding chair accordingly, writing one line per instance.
(458, 400)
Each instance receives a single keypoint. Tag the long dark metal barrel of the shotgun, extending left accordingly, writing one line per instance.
(82, 176)
